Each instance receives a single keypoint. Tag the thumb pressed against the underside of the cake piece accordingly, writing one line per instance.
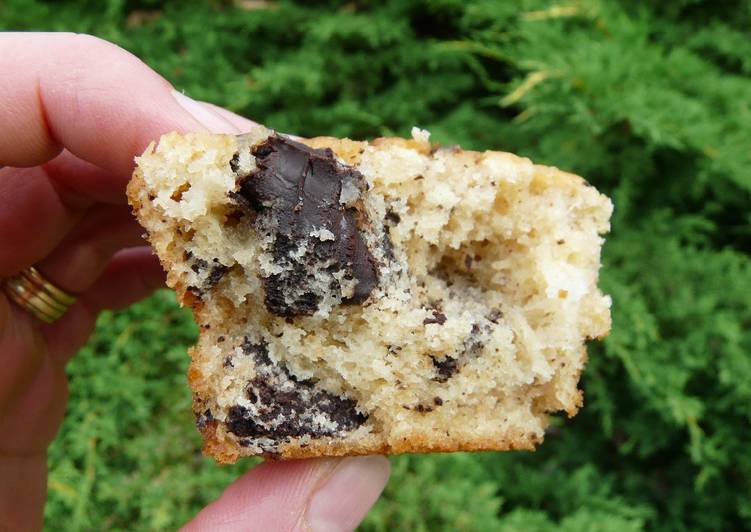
(318, 494)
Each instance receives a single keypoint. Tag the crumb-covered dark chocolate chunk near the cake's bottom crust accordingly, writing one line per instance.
(287, 407)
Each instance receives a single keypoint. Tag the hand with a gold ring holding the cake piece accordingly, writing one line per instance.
(74, 111)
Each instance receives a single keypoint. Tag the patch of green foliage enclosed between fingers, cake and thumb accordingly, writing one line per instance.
(127, 455)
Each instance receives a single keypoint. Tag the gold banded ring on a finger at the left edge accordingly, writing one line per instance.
(31, 291)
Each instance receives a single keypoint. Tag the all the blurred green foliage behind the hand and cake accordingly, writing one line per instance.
(650, 101)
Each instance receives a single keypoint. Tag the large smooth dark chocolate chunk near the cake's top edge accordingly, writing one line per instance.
(296, 191)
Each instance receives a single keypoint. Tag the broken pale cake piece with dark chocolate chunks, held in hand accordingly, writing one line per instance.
(374, 297)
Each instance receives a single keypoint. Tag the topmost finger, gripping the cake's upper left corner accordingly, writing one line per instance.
(64, 90)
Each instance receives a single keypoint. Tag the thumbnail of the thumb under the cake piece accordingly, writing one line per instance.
(347, 495)
